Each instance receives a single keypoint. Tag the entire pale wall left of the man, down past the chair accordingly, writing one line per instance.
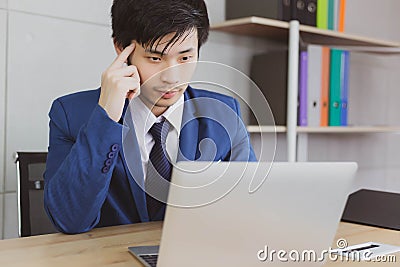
(54, 48)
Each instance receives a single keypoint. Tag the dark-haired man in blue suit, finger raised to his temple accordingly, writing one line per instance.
(98, 166)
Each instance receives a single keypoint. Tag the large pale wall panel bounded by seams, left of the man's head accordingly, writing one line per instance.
(54, 57)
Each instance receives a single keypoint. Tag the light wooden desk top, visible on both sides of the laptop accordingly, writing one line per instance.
(108, 246)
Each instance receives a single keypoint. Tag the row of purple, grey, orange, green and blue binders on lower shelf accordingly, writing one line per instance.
(323, 87)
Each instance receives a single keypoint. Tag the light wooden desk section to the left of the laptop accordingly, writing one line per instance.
(99, 247)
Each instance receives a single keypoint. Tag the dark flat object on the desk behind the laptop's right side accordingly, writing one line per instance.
(374, 208)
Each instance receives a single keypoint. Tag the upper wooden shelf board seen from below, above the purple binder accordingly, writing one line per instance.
(278, 30)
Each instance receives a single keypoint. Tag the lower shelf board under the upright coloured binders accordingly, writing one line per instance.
(338, 129)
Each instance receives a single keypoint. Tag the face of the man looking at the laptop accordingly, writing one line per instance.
(164, 78)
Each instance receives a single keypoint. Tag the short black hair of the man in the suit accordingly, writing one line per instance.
(148, 21)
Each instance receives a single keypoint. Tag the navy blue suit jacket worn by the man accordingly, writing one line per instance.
(88, 182)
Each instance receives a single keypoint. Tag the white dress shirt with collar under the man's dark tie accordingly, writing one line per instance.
(143, 120)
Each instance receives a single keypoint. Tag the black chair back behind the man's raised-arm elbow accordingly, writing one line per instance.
(32, 217)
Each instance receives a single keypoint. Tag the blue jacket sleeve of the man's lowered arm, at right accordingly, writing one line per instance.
(242, 149)
